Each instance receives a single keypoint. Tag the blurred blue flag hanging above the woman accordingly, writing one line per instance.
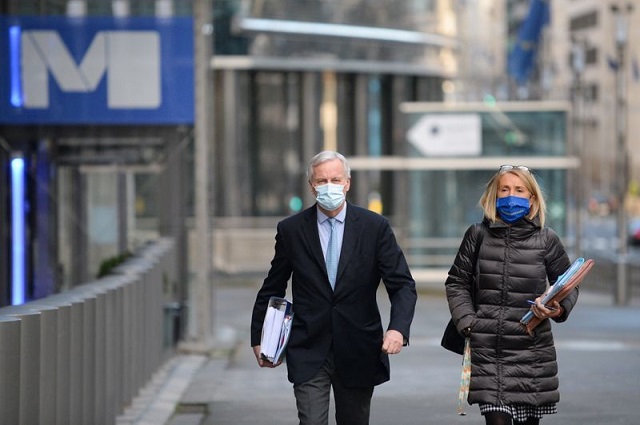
(522, 56)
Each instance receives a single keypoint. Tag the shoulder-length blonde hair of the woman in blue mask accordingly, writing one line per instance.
(538, 205)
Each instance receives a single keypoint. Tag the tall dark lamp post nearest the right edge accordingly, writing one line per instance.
(622, 174)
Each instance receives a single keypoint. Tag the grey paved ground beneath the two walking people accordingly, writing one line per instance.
(598, 349)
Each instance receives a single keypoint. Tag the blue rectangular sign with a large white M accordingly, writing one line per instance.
(96, 70)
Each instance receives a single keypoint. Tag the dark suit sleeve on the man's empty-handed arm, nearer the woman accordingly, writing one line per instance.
(398, 281)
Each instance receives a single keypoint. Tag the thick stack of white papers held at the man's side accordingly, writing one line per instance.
(276, 329)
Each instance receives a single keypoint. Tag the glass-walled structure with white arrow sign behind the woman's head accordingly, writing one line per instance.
(445, 189)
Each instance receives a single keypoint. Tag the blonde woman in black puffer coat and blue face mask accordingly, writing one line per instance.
(513, 374)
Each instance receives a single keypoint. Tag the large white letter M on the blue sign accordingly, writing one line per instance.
(131, 60)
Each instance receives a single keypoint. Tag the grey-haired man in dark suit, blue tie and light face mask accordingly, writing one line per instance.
(337, 340)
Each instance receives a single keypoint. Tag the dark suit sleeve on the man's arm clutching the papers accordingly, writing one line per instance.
(275, 284)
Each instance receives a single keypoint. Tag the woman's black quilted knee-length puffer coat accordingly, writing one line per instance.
(514, 262)
